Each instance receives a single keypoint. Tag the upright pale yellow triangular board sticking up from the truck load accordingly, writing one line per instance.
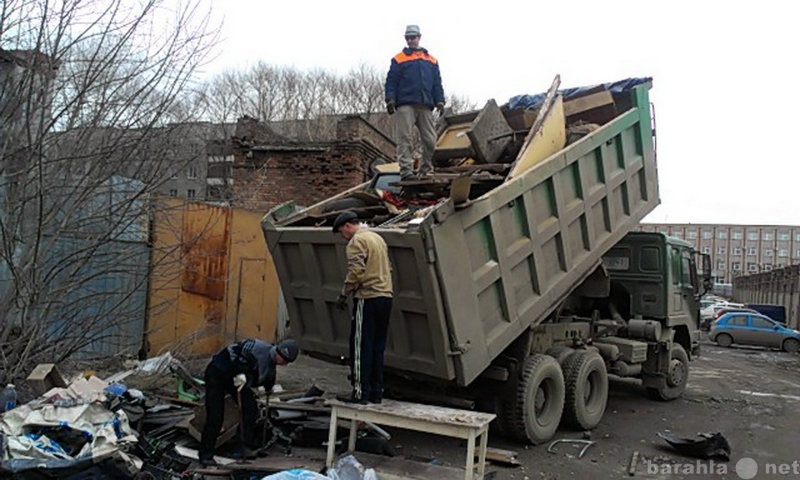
(547, 136)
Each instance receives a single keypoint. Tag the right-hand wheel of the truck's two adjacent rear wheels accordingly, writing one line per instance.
(586, 382)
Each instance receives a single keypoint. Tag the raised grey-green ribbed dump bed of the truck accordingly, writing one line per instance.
(471, 278)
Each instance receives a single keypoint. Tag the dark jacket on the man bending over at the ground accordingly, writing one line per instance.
(255, 358)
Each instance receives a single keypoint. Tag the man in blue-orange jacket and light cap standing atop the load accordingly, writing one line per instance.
(413, 89)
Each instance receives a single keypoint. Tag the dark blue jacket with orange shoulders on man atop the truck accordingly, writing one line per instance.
(414, 79)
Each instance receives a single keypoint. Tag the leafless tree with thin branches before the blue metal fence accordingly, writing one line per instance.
(89, 87)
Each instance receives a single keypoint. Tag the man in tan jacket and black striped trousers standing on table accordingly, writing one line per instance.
(369, 280)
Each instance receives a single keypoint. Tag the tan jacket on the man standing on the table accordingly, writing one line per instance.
(369, 273)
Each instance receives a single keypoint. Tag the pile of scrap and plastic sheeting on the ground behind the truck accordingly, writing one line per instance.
(145, 422)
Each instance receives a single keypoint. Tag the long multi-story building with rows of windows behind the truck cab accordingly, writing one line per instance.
(737, 249)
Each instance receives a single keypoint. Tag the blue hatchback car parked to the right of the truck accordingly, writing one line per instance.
(745, 328)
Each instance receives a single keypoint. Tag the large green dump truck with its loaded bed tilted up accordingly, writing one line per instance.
(524, 294)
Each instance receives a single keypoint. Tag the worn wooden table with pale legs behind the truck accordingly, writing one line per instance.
(450, 422)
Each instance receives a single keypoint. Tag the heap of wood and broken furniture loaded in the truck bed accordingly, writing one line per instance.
(479, 151)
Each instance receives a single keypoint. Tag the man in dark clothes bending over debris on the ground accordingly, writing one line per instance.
(237, 369)
